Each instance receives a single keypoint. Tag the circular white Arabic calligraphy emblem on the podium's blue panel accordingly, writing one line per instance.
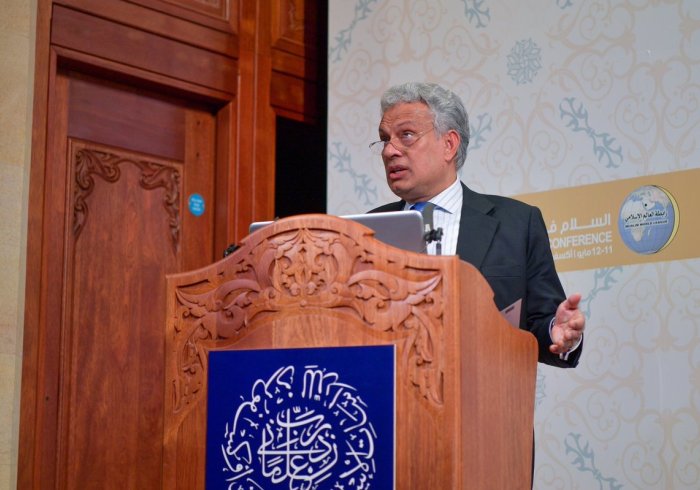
(301, 429)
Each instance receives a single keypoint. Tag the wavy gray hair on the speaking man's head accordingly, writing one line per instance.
(447, 108)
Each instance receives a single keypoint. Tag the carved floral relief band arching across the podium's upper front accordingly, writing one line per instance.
(300, 265)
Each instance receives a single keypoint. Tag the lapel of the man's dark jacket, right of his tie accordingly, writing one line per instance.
(476, 227)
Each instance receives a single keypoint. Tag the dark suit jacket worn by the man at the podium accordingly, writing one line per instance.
(506, 240)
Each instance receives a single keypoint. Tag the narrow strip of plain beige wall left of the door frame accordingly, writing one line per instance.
(16, 68)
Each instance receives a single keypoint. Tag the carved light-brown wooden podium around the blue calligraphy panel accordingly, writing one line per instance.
(465, 378)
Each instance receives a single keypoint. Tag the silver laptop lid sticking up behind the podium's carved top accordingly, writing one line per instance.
(401, 229)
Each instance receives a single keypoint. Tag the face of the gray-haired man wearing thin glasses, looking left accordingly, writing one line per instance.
(427, 167)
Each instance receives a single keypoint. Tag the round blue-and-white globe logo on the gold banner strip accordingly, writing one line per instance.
(648, 219)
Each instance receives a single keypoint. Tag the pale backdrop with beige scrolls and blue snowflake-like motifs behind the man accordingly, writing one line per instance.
(561, 93)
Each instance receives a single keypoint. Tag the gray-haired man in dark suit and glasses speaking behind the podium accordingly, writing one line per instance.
(424, 133)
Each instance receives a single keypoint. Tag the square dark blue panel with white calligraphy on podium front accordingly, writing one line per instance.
(301, 419)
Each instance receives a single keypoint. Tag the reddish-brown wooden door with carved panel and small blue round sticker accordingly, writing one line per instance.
(131, 187)
